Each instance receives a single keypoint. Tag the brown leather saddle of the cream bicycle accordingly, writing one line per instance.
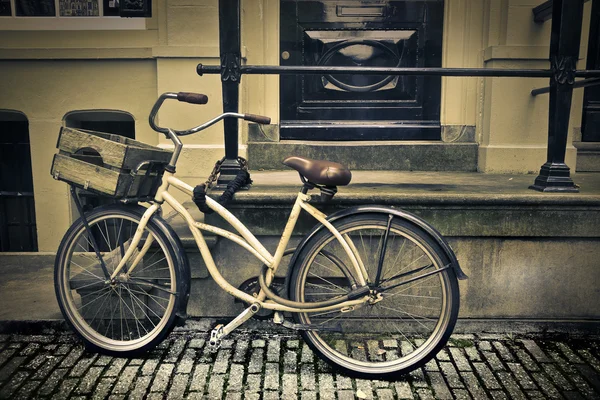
(319, 171)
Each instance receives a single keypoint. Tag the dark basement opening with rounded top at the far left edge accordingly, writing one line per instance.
(17, 210)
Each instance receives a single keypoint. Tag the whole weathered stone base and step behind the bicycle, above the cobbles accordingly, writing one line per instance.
(532, 258)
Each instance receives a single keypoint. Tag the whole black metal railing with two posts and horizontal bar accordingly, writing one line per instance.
(564, 48)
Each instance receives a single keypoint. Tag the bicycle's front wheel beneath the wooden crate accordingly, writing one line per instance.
(132, 312)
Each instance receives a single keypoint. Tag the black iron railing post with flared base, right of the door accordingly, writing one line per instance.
(567, 16)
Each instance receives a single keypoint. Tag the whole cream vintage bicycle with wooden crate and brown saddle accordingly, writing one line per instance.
(373, 290)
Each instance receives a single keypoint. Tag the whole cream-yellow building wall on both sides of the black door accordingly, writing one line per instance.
(46, 74)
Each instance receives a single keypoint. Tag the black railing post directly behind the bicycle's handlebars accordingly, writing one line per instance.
(229, 44)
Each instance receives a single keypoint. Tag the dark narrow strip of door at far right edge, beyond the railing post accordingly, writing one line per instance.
(591, 98)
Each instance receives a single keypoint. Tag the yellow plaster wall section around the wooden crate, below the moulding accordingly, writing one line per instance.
(47, 90)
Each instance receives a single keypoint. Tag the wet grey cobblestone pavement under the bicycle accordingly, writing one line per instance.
(255, 364)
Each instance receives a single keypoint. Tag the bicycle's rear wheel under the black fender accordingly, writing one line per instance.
(412, 311)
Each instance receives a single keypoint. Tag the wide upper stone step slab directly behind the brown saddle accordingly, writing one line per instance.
(457, 204)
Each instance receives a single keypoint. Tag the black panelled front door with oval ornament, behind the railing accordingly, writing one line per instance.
(361, 33)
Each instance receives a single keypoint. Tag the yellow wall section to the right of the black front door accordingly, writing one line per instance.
(513, 125)
